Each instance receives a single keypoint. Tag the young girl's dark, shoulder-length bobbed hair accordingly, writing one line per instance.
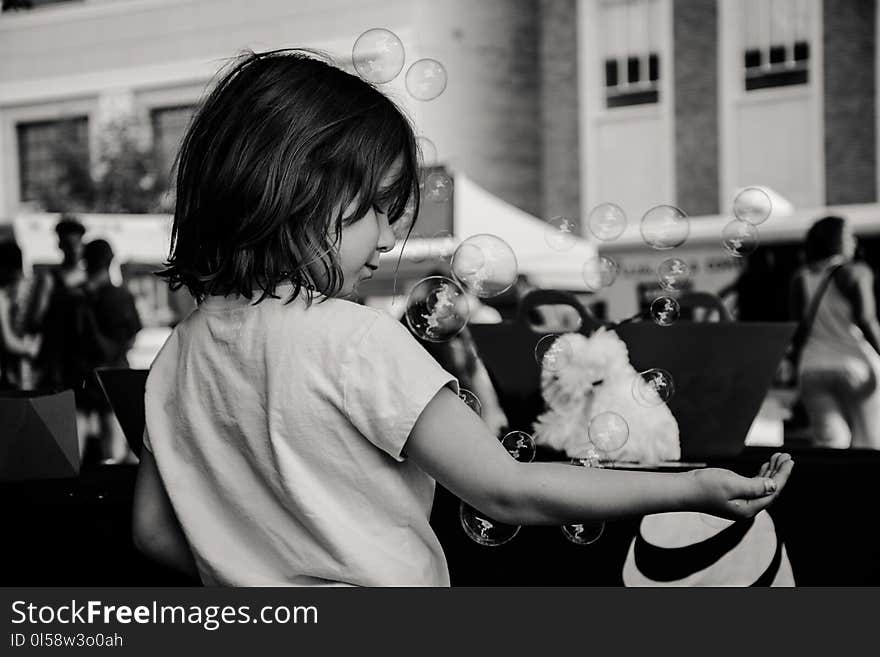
(275, 155)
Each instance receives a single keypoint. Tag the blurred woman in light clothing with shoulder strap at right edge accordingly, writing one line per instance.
(839, 368)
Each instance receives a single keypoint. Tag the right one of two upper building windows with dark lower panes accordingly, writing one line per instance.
(776, 42)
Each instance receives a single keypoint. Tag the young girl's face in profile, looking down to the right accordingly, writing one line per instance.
(361, 244)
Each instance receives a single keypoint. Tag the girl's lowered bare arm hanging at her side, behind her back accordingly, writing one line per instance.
(155, 528)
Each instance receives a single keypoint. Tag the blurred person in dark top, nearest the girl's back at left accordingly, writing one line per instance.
(107, 322)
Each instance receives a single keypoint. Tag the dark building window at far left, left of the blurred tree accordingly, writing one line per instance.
(52, 154)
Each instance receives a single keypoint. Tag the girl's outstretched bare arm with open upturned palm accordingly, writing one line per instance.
(453, 445)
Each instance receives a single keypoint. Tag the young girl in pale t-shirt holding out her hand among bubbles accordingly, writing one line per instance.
(293, 436)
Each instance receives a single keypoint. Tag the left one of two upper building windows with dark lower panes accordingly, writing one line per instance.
(630, 51)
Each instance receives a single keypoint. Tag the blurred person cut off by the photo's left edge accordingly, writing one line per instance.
(16, 348)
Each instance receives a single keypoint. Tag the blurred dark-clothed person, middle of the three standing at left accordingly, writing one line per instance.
(51, 313)
